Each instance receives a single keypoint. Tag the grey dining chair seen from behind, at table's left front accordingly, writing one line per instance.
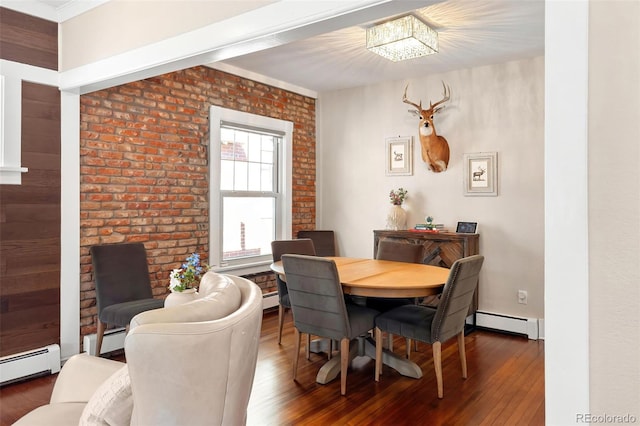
(319, 307)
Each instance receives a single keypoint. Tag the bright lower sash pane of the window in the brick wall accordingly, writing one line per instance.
(248, 226)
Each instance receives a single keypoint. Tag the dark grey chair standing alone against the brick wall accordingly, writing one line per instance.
(123, 286)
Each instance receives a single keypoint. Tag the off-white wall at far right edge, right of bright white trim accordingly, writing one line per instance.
(614, 208)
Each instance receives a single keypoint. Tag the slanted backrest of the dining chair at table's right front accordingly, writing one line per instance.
(456, 298)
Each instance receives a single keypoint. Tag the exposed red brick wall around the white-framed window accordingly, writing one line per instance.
(144, 167)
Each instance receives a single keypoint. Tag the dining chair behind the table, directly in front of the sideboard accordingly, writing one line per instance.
(398, 252)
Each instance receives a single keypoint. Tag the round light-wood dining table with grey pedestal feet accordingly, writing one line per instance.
(380, 278)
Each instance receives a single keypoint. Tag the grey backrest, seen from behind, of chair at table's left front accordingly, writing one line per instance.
(316, 296)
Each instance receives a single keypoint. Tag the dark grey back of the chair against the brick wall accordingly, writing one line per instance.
(120, 273)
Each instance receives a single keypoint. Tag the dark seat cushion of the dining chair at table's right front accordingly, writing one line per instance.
(409, 321)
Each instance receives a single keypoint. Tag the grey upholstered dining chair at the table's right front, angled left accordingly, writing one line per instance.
(435, 326)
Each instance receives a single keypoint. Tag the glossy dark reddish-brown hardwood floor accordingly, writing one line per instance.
(505, 386)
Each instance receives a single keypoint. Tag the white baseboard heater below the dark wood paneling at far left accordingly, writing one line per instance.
(25, 364)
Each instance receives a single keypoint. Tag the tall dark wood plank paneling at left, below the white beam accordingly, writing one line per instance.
(30, 231)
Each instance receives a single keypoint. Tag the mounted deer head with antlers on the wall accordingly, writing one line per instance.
(435, 149)
